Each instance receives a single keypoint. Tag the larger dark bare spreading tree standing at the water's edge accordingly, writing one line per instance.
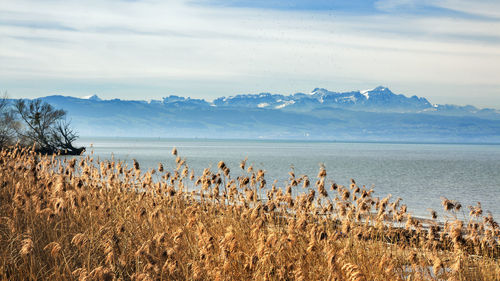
(45, 127)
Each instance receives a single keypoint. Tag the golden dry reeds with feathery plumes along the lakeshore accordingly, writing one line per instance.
(83, 219)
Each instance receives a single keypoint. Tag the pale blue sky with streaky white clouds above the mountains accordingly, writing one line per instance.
(445, 50)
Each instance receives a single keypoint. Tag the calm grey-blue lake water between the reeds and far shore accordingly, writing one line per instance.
(419, 173)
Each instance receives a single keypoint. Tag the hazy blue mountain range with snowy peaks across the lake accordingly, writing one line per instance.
(371, 115)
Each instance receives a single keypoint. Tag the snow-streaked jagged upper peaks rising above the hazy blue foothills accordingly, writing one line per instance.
(379, 99)
